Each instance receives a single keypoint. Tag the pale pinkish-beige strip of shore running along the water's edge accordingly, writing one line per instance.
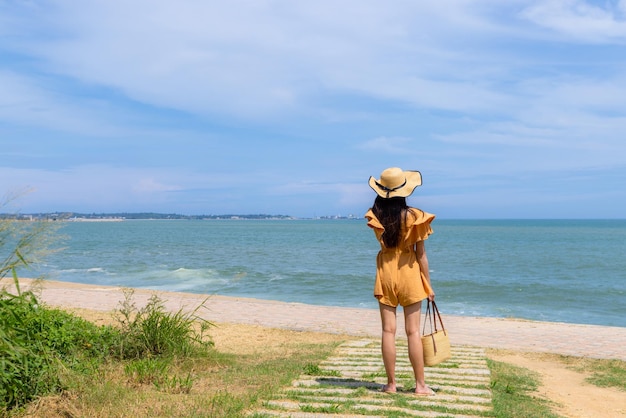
(501, 333)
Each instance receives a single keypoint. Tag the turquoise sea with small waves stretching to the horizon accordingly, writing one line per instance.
(571, 271)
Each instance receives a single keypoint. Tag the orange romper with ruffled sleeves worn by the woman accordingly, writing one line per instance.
(398, 276)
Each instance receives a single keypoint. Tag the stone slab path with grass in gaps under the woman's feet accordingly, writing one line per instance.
(348, 385)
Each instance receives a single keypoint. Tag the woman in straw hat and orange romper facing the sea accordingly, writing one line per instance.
(402, 276)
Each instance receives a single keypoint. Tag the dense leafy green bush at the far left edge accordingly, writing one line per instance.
(36, 343)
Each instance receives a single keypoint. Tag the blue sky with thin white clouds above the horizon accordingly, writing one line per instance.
(510, 109)
